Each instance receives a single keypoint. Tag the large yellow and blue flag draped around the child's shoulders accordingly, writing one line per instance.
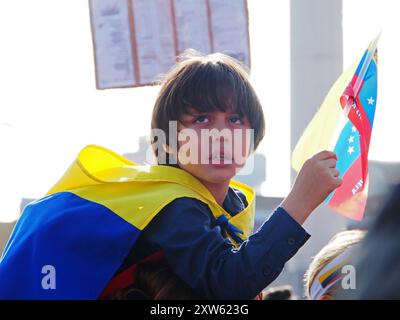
(86, 225)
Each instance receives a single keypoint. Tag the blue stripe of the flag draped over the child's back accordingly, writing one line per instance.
(84, 241)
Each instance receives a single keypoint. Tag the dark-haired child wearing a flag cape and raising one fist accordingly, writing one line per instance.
(185, 212)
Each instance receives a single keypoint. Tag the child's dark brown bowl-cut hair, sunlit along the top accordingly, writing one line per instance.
(205, 83)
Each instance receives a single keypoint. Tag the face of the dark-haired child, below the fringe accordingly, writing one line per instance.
(220, 149)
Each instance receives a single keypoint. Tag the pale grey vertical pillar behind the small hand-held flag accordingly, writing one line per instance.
(316, 62)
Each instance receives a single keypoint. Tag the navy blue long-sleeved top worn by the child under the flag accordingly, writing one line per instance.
(194, 247)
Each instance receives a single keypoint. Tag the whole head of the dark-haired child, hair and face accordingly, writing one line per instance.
(217, 115)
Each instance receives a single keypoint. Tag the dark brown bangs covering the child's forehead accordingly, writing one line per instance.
(212, 87)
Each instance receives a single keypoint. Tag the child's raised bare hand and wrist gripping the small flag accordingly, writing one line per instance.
(316, 180)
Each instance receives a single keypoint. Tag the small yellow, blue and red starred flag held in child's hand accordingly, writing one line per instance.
(344, 124)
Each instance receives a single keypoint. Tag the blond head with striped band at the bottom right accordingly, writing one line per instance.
(324, 275)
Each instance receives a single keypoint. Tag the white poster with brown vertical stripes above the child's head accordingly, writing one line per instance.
(137, 41)
